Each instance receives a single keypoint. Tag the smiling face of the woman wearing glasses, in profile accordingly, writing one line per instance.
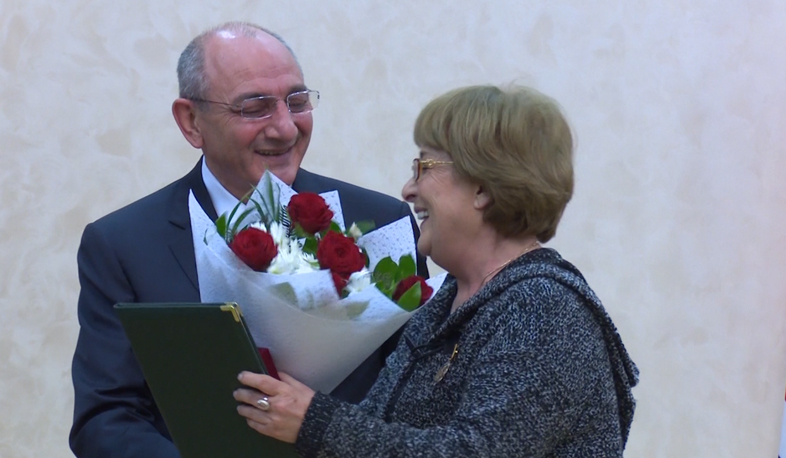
(445, 206)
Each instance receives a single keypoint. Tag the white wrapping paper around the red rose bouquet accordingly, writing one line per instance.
(312, 334)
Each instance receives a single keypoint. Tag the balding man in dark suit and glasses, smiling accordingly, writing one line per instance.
(244, 103)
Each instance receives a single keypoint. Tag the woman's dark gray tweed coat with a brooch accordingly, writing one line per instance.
(540, 372)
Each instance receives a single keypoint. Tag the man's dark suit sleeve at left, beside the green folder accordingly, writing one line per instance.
(114, 412)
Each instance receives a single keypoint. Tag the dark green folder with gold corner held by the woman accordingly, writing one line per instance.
(191, 355)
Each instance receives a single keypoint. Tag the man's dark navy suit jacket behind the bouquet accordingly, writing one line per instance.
(144, 253)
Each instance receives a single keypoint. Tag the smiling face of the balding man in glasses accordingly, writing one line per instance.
(237, 149)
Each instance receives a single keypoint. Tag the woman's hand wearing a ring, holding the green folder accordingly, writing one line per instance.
(273, 408)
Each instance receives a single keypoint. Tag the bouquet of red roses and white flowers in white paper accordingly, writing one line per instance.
(320, 297)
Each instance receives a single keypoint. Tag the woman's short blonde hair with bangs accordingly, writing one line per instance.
(515, 143)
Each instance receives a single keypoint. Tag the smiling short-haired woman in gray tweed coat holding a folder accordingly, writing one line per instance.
(514, 355)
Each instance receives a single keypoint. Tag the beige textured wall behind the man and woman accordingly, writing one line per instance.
(678, 218)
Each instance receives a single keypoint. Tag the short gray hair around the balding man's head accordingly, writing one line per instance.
(191, 77)
